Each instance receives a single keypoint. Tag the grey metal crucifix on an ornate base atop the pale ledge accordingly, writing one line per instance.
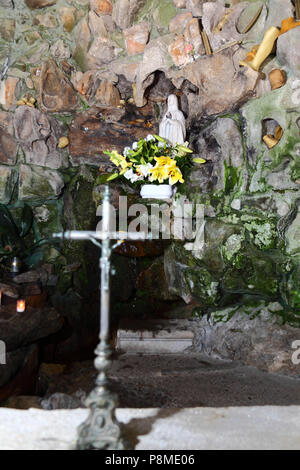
(101, 429)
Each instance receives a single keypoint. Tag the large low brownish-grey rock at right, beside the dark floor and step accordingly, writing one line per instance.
(256, 338)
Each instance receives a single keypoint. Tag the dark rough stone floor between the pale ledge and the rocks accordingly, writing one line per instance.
(207, 380)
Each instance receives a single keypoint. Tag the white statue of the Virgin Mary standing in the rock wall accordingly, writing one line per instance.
(172, 127)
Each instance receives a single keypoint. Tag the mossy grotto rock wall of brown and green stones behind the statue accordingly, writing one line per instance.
(87, 75)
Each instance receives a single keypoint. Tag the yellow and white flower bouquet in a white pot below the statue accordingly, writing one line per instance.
(153, 160)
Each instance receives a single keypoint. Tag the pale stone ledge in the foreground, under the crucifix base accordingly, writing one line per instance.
(238, 428)
